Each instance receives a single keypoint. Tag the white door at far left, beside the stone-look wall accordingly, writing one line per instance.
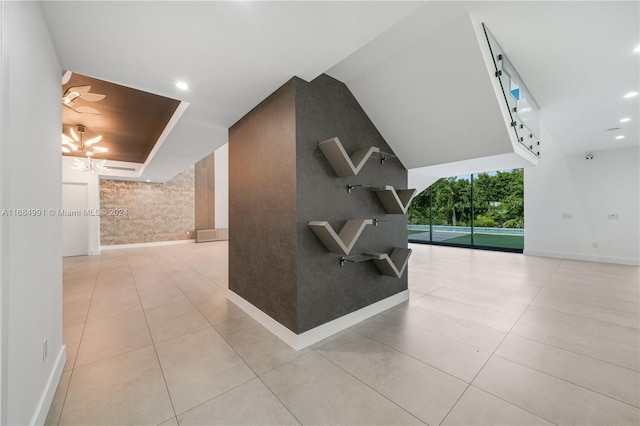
(75, 229)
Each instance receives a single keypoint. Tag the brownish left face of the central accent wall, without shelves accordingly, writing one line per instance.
(262, 207)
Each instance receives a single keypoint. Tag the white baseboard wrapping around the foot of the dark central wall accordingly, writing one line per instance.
(301, 341)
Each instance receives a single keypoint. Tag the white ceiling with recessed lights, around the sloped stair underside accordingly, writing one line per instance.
(576, 57)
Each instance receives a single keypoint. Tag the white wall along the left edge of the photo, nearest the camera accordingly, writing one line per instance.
(30, 250)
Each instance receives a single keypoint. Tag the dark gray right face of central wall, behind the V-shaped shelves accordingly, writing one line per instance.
(326, 108)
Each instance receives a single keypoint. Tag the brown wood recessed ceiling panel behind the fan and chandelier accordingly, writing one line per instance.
(130, 120)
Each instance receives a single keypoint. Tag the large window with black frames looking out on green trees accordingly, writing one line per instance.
(484, 210)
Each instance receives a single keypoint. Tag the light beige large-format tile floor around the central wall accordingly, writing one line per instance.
(487, 338)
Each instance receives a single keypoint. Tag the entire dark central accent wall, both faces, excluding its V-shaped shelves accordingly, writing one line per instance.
(279, 180)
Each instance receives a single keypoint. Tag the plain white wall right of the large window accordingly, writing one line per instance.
(568, 200)
